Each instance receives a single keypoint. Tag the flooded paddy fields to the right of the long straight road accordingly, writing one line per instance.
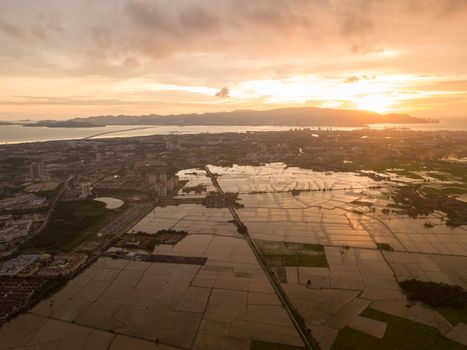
(349, 289)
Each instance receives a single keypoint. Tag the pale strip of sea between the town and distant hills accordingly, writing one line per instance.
(12, 134)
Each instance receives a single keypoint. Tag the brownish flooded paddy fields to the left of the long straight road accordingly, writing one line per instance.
(224, 304)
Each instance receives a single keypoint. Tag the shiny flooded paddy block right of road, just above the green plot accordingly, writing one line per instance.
(325, 223)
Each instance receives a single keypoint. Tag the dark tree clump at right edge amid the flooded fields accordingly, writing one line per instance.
(435, 294)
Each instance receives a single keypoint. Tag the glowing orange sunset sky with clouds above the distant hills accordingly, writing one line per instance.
(61, 59)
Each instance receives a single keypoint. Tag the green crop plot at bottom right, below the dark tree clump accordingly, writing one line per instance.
(401, 334)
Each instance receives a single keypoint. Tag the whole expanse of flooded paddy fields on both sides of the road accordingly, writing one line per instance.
(336, 242)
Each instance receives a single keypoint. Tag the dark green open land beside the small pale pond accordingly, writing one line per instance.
(71, 223)
